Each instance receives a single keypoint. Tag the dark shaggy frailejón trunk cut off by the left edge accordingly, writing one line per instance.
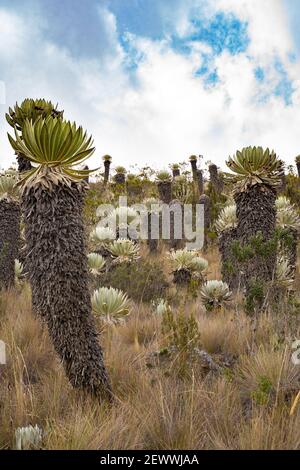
(9, 241)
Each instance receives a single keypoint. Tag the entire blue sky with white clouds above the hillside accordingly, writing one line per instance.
(155, 81)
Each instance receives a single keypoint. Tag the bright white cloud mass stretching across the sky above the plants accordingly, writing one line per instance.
(168, 113)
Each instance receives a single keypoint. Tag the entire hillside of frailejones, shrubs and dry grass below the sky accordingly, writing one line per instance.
(113, 343)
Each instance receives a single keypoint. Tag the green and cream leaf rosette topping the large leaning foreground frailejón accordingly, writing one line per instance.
(55, 148)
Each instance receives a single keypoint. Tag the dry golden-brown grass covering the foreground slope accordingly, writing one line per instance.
(245, 406)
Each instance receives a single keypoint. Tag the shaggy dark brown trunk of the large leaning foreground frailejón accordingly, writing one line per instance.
(58, 274)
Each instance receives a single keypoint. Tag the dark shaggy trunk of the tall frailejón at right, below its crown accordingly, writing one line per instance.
(256, 214)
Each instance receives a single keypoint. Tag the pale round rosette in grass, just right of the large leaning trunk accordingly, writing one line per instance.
(111, 305)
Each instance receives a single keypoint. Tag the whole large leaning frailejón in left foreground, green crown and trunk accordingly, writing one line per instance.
(52, 203)
